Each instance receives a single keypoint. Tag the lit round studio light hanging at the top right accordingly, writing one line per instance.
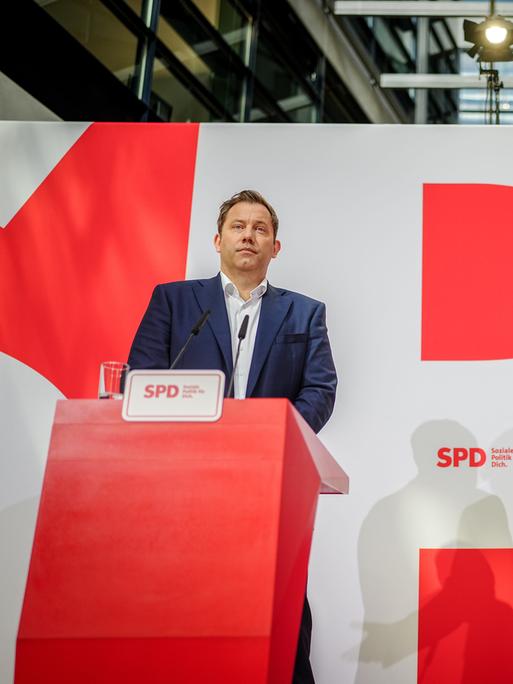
(492, 39)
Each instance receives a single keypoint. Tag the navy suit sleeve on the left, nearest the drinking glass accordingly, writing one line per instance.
(151, 345)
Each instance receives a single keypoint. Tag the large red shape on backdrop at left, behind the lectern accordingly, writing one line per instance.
(79, 260)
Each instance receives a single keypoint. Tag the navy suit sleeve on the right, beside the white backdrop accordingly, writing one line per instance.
(316, 397)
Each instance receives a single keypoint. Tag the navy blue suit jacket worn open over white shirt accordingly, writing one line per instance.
(292, 356)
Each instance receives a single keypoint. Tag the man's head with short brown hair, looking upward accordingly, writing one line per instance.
(246, 243)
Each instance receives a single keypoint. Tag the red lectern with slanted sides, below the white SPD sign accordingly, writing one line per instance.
(172, 552)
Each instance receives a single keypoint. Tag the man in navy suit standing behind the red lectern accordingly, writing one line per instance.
(286, 351)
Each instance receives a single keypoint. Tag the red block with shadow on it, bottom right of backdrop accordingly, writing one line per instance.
(465, 616)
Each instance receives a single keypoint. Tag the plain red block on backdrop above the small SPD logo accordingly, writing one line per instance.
(467, 291)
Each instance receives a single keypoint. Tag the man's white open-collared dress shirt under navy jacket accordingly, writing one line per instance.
(237, 308)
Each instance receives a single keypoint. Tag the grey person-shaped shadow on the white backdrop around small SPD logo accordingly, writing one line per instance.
(439, 508)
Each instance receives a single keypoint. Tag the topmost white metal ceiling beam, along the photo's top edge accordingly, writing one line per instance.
(419, 8)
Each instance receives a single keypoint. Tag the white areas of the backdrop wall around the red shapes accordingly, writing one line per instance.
(349, 200)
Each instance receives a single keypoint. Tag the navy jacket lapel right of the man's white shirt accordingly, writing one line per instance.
(273, 311)
